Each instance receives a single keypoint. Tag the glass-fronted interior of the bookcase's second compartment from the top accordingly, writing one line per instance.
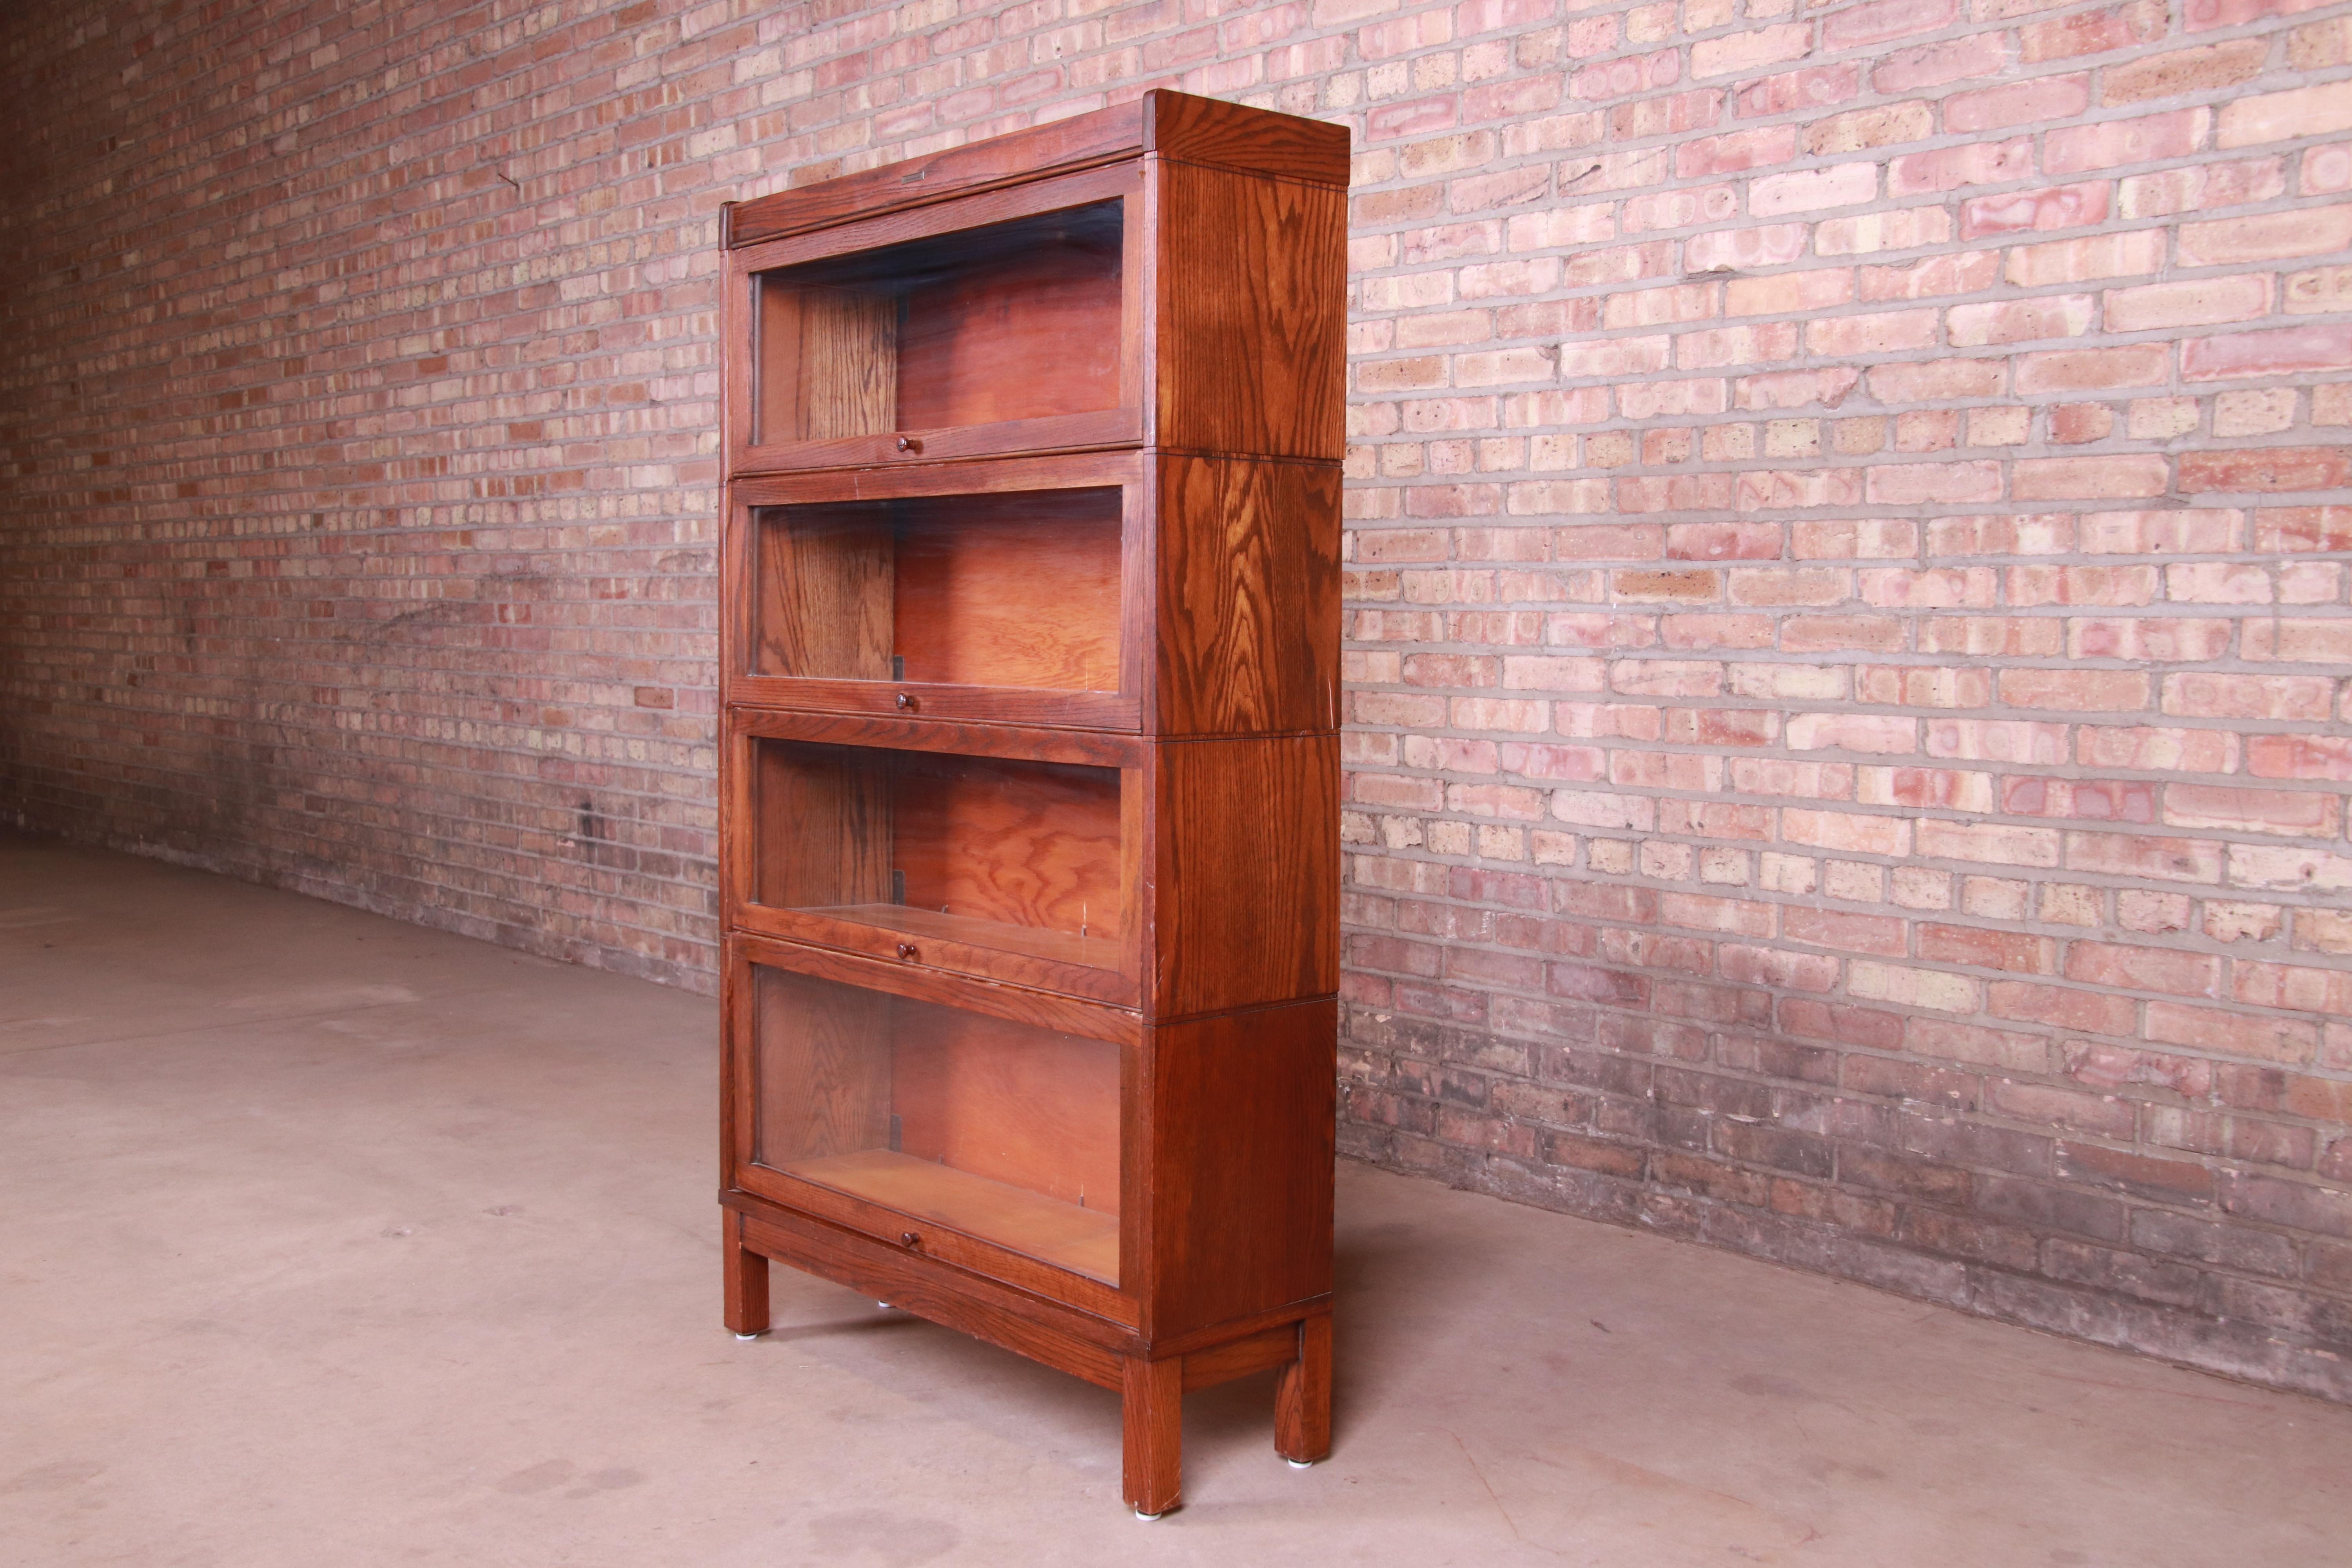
(1013, 589)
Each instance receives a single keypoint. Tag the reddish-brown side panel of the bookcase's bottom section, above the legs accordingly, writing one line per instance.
(1243, 1113)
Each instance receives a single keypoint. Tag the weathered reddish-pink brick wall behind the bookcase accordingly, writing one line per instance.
(1847, 643)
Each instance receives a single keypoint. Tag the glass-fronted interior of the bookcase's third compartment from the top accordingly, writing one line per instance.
(1017, 857)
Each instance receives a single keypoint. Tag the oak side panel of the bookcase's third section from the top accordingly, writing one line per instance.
(1248, 873)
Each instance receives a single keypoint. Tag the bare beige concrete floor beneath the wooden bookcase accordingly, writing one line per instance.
(340, 1242)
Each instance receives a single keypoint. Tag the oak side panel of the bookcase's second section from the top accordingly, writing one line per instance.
(1248, 608)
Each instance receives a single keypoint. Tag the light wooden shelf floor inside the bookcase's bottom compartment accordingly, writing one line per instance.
(1069, 1238)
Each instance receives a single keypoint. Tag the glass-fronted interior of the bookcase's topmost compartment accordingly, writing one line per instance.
(984, 326)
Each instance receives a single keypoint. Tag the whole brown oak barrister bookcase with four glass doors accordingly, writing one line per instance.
(1031, 760)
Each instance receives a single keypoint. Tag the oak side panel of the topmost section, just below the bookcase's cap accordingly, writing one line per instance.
(1252, 333)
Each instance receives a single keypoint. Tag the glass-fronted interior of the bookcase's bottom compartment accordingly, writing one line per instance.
(998, 1130)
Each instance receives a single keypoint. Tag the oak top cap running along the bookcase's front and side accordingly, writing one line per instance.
(1168, 123)
